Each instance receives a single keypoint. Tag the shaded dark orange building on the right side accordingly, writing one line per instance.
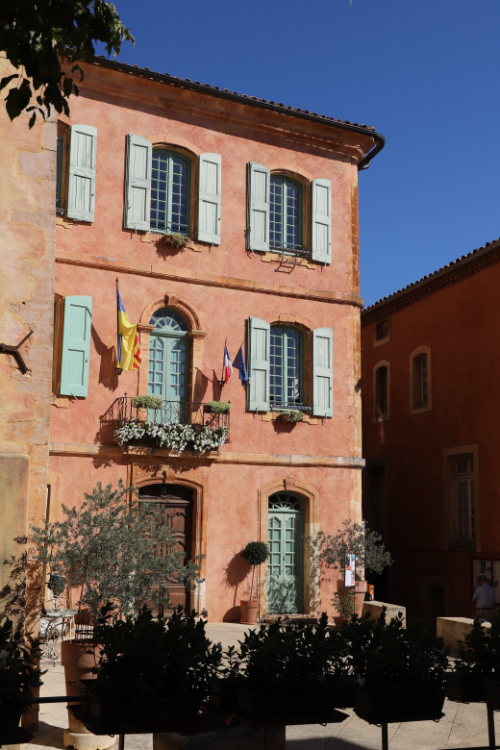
(430, 434)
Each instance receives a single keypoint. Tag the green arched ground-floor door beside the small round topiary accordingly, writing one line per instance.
(285, 569)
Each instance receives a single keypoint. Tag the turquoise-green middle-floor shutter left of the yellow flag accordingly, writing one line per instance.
(76, 346)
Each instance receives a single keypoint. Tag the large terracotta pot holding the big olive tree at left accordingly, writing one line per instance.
(78, 665)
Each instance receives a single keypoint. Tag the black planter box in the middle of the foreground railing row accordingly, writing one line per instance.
(310, 705)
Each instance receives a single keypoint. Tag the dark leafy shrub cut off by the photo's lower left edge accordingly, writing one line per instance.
(19, 673)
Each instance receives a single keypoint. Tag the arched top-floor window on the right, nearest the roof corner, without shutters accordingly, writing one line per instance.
(285, 213)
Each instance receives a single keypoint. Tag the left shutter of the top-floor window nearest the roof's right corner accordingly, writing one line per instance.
(259, 179)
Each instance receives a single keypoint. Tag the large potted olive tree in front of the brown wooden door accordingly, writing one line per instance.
(115, 549)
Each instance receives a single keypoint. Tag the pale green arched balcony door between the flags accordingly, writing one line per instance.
(169, 365)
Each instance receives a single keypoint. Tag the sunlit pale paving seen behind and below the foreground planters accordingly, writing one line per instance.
(463, 726)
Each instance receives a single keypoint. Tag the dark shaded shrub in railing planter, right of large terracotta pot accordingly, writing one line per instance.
(150, 669)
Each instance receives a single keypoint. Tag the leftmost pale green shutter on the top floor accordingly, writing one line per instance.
(81, 178)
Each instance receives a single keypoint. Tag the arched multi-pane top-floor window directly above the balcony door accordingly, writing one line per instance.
(170, 187)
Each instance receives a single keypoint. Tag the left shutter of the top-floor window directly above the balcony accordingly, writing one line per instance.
(138, 183)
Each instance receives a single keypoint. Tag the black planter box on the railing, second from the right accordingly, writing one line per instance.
(383, 708)
